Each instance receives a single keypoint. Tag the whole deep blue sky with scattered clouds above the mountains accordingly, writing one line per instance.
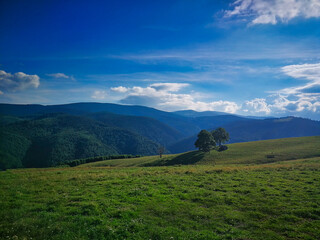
(247, 57)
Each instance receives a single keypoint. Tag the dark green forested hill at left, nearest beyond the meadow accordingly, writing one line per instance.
(52, 140)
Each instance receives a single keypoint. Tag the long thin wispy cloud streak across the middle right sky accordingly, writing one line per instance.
(252, 48)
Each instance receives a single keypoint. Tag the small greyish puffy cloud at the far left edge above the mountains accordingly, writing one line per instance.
(18, 81)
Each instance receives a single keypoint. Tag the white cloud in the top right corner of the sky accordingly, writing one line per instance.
(274, 11)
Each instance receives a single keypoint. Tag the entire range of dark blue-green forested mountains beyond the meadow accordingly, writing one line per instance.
(42, 136)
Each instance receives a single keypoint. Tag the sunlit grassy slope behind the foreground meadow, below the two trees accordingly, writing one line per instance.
(238, 153)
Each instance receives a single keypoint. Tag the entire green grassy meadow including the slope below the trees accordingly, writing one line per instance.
(259, 190)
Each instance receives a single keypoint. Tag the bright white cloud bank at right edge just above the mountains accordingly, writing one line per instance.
(302, 100)
